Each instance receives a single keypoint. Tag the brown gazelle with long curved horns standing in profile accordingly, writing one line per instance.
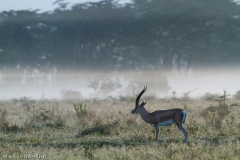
(161, 117)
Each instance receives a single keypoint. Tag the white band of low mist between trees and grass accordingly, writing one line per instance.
(115, 84)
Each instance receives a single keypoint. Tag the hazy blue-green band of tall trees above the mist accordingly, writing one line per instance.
(145, 34)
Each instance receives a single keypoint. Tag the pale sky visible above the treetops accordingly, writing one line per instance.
(44, 5)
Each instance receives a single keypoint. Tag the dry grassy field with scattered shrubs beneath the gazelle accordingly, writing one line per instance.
(105, 129)
